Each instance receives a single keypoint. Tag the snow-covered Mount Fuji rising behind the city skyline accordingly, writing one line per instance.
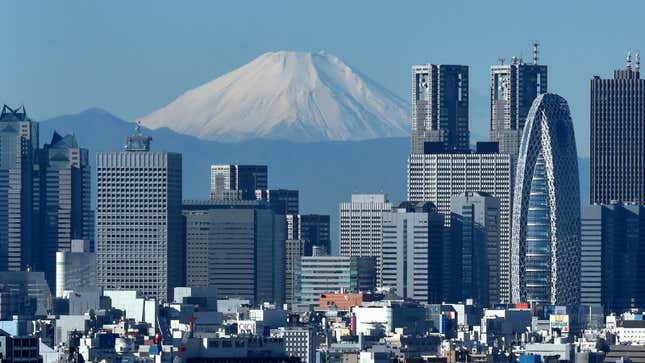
(294, 96)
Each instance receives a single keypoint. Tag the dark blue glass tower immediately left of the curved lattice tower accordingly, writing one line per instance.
(475, 238)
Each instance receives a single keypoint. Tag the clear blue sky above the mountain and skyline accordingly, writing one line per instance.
(131, 57)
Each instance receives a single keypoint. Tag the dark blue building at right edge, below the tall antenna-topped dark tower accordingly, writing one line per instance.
(612, 239)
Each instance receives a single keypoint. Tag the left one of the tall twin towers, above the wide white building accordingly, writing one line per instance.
(440, 108)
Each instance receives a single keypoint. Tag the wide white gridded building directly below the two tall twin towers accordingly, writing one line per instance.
(437, 177)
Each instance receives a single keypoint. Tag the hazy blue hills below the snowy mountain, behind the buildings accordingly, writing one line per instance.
(326, 173)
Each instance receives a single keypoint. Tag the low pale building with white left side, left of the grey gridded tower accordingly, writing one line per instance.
(75, 269)
